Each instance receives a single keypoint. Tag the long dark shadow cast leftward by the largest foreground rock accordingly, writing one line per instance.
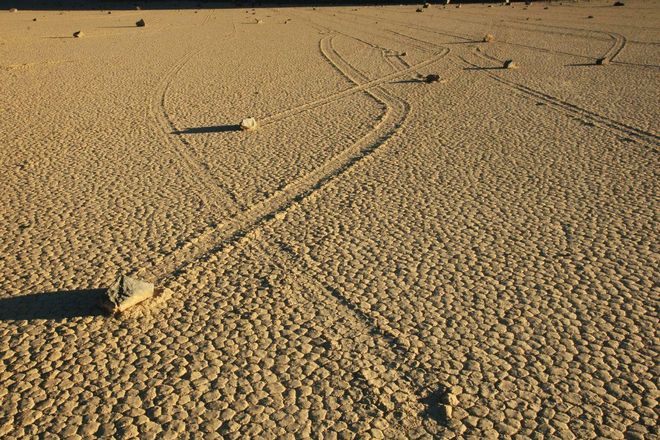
(56, 305)
